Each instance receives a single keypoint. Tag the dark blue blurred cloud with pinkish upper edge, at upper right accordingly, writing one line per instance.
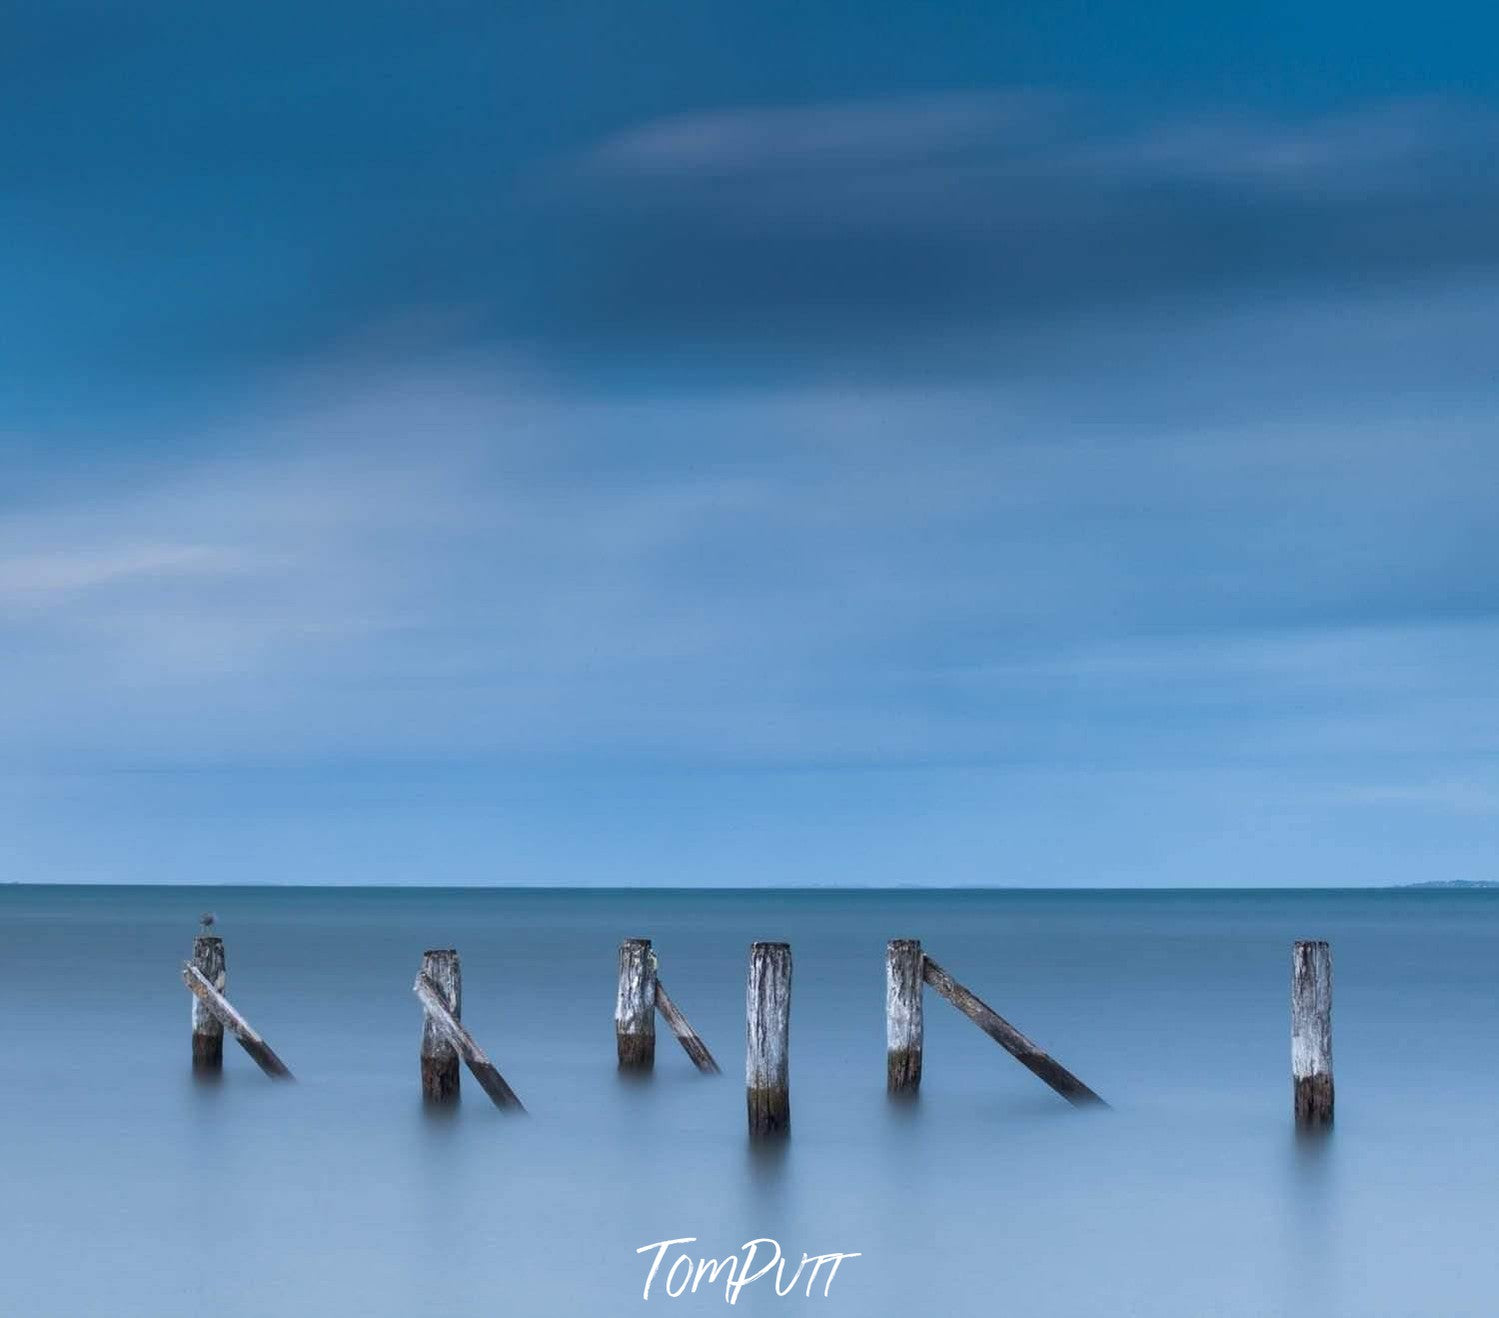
(860, 230)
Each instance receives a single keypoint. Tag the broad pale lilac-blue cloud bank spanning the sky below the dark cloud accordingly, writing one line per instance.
(447, 562)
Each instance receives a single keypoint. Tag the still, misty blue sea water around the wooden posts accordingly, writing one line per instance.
(131, 1190)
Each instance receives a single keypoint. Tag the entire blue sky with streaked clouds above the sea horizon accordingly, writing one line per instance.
(743, 445)
